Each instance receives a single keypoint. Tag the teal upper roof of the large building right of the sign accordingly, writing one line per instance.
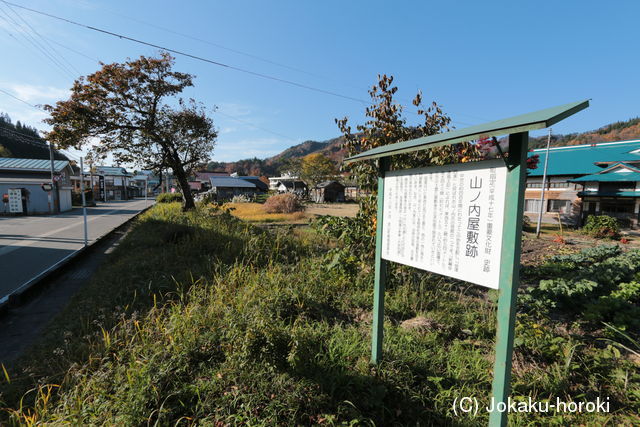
(581, 159)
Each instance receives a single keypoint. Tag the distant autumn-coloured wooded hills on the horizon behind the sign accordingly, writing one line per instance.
(332, 148)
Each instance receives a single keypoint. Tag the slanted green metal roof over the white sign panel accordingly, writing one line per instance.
(525, 122)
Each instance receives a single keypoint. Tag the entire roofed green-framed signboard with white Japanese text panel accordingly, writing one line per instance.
(461, 220)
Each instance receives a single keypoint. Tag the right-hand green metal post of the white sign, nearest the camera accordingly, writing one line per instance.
(509, 272)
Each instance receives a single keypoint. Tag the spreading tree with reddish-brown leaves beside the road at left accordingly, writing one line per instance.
(125, 108)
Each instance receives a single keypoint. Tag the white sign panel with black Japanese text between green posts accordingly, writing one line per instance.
(447, 219)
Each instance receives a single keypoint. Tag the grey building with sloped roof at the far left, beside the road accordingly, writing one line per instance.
(25, 182)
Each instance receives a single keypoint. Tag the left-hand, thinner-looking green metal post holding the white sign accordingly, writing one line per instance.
(380, 273)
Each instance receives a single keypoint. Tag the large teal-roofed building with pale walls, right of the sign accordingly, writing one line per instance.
(583, 179)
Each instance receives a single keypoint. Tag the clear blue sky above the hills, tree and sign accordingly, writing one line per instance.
(480, 60)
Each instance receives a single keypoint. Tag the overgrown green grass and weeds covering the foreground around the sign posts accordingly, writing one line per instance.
(200, 318)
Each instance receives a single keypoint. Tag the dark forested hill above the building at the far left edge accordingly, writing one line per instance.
(22, 141)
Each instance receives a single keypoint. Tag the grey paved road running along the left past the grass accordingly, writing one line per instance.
(29, 245)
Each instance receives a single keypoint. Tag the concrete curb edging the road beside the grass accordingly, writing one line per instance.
(33, 285)
